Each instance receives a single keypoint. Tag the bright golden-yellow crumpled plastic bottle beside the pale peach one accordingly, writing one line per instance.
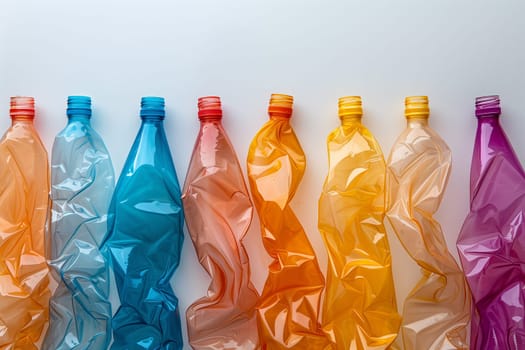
(359, 310)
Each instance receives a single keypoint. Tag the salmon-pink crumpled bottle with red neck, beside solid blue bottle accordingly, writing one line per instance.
(218, 214)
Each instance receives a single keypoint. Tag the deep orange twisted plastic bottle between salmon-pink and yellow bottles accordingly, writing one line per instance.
(289, 307)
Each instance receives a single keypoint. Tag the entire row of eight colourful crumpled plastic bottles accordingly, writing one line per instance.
(132, 234)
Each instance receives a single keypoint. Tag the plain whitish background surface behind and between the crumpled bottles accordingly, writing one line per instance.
(118, 51)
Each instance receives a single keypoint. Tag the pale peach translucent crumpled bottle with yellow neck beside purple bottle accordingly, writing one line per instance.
(436, 312)
